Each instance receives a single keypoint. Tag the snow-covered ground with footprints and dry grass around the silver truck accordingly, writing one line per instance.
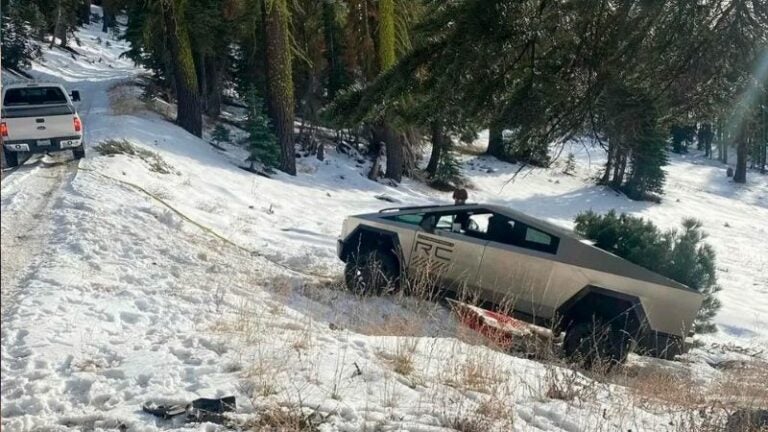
(135, 285)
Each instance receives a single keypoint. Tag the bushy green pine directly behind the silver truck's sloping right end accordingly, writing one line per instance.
(680, 255)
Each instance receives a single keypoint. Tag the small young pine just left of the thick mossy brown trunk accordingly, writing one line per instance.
(262, 142)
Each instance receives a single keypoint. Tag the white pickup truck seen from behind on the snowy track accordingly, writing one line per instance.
(39, 118)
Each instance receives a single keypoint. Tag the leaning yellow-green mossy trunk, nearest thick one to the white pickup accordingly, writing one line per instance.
(189, 113)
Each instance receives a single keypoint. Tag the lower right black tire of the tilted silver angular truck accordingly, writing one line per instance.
(593, 344)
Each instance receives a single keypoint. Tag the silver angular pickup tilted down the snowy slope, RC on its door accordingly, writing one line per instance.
(518, 265)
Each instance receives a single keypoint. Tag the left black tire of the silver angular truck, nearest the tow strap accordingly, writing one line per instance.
(374, 272)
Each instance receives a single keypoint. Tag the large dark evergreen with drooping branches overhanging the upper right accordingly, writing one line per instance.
(555, 67)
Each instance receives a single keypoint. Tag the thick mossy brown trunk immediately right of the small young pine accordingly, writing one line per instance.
(279, 80)
